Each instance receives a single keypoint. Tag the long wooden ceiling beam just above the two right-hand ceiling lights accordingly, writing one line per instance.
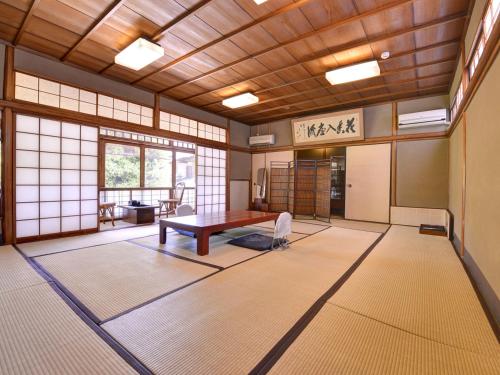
(346, 47)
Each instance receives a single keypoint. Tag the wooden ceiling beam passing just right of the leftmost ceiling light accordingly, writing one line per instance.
(224, 37)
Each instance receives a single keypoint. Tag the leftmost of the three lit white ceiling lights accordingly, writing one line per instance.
(139, 54)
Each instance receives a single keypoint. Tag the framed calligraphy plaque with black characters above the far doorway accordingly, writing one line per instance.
(334, 127)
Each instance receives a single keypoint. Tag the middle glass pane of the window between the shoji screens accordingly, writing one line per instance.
(157, 168)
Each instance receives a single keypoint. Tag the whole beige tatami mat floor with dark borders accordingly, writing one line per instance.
(317, 307)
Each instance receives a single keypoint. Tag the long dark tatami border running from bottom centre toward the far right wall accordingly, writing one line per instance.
(282, 345)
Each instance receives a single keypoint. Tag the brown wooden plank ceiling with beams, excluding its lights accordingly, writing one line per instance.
(278, 50)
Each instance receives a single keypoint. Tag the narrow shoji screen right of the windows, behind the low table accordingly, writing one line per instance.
(210, 180)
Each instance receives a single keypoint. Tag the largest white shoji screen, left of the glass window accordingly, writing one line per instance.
(56, 177)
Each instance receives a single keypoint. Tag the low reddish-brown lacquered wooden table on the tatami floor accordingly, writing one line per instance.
(204, 225)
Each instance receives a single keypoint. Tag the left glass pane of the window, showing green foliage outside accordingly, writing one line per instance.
(122, 166)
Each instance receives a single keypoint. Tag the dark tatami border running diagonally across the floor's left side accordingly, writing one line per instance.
(135, 363)
